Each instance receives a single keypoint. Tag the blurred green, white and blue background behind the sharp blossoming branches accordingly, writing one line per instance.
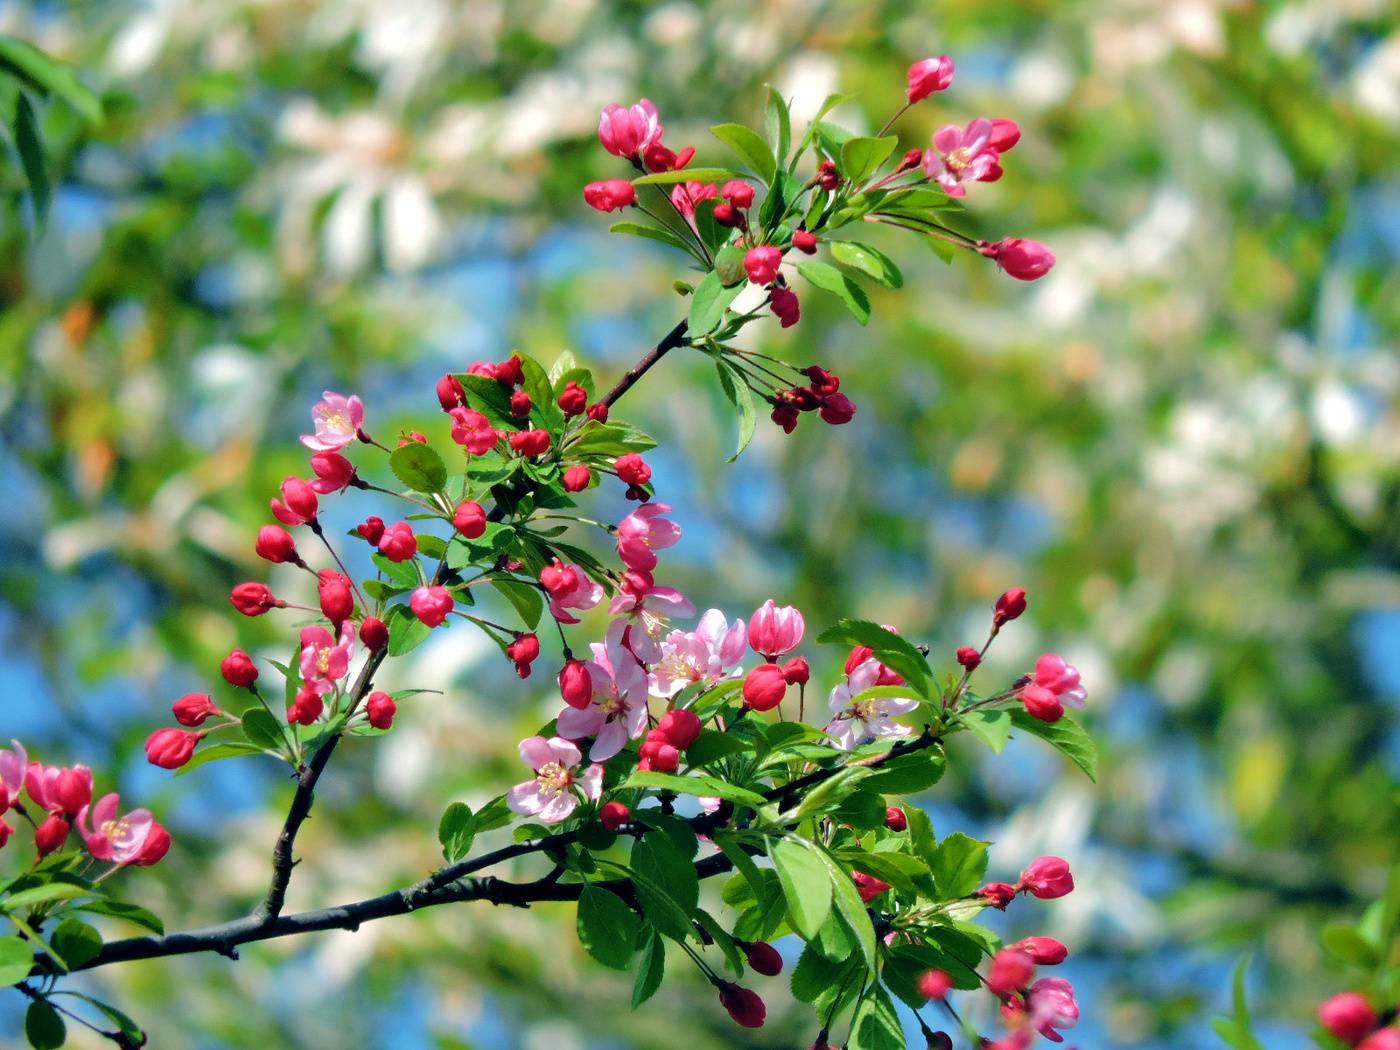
(1182, 443)
